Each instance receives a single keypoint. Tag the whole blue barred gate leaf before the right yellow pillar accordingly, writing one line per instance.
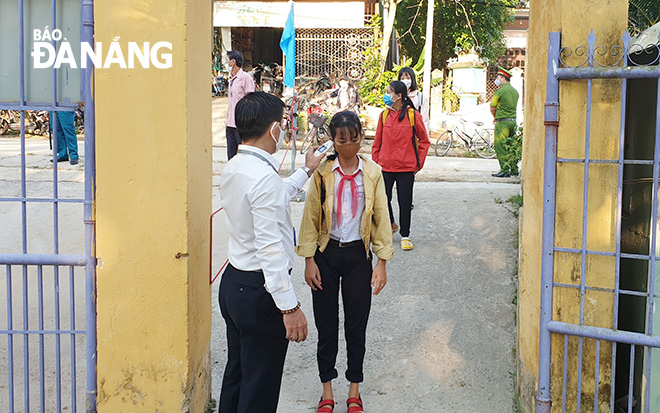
(598, 342)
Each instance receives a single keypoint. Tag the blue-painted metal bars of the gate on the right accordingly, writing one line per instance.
(589, 70)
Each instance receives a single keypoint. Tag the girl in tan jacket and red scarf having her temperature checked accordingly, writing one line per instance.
(345, 219)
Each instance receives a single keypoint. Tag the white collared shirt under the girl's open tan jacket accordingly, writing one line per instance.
(350, 226)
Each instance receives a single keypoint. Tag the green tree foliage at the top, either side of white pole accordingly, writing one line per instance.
(459, 26)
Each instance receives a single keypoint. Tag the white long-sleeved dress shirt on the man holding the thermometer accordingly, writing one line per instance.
(256, 201)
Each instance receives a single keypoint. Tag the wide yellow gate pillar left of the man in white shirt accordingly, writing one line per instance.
(153, 134)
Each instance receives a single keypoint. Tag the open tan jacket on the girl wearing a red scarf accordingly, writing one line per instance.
(375, 228)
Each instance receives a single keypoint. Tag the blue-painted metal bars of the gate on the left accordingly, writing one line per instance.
(28, 261)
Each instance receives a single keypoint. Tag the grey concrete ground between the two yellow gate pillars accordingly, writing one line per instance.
(441, 336)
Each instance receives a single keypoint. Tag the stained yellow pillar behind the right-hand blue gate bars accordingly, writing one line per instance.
(575, 19)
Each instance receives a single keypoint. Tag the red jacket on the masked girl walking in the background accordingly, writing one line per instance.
(393, 146)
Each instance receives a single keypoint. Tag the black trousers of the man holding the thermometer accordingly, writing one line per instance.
(256, 344)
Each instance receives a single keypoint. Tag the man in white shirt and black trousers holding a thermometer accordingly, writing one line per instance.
(257, 299)
